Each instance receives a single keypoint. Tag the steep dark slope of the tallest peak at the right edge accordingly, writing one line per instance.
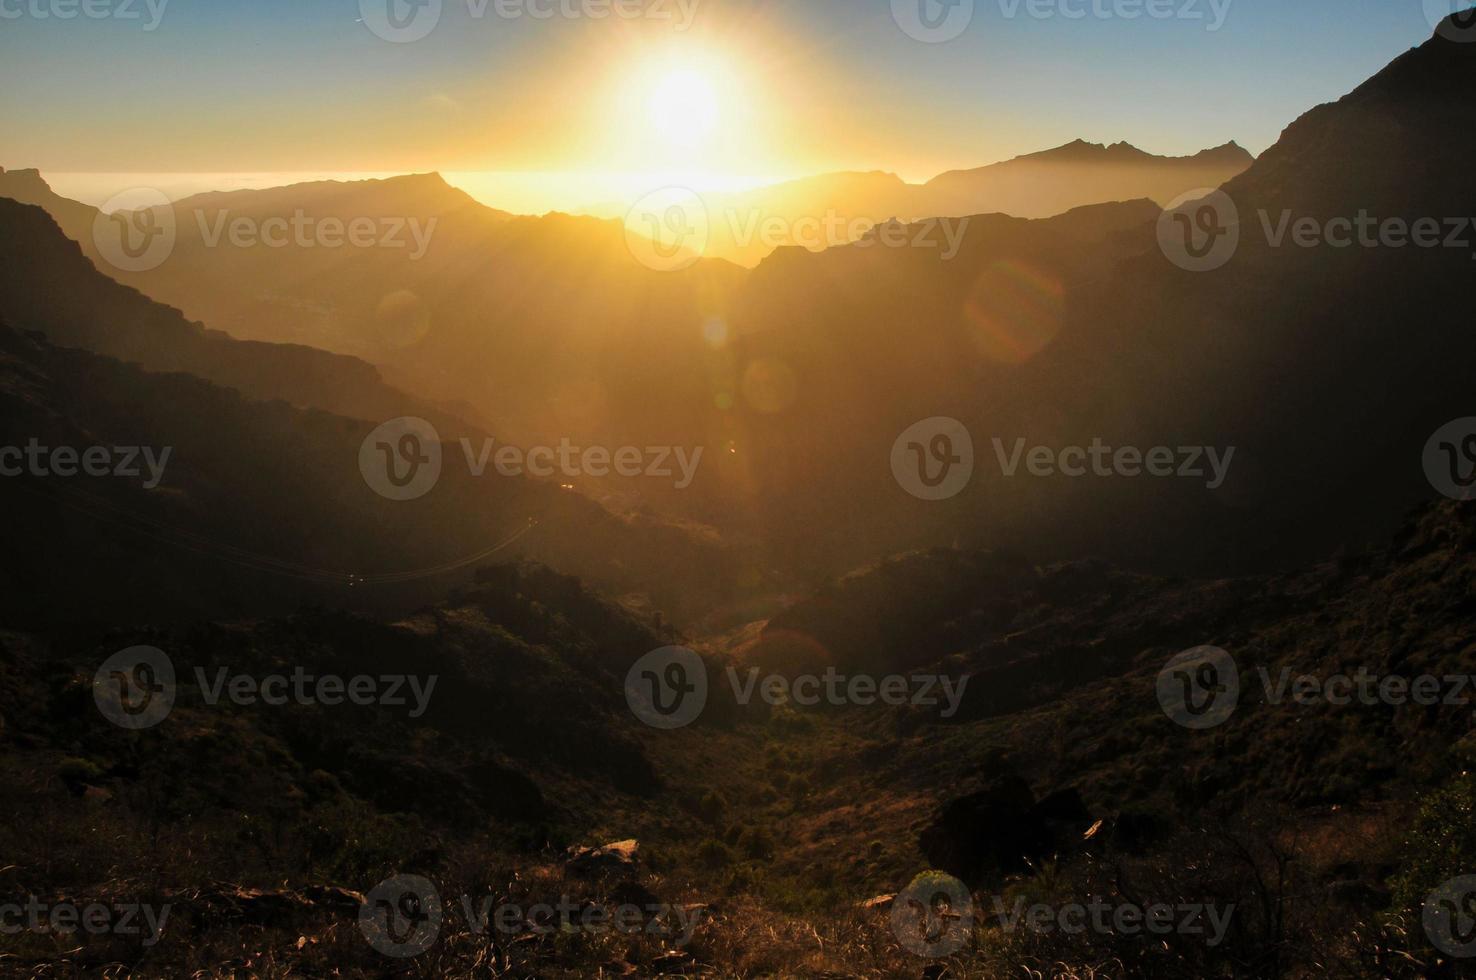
(1362, 345)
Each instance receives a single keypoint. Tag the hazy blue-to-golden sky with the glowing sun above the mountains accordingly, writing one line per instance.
(752, 88)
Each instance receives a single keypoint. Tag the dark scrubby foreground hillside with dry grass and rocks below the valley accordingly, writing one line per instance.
(1314, 830)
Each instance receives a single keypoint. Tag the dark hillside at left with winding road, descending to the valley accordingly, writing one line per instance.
(259, 507)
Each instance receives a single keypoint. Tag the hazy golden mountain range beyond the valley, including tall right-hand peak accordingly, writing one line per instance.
(799, 376)
